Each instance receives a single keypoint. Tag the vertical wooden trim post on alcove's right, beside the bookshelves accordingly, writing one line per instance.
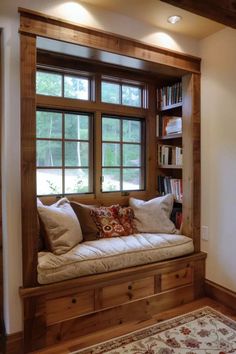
(191, 158)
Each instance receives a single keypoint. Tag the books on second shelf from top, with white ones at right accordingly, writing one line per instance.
(168, 125)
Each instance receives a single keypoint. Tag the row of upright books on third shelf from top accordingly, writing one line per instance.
(170, 155)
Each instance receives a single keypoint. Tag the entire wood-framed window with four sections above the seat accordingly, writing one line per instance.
(69, 119)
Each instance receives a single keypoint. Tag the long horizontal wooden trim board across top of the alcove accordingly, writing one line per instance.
(51, 27)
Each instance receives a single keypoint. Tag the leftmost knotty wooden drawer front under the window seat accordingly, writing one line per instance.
(69, 306)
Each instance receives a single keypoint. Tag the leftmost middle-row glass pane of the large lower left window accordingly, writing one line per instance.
(49, 153)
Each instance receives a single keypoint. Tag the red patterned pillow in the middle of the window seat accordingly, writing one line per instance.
(107, 221)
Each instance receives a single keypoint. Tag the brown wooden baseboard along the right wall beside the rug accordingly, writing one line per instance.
(217, 292)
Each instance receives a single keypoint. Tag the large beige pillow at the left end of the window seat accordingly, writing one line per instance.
(61, 225)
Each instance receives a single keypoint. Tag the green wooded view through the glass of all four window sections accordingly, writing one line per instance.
(64, 139)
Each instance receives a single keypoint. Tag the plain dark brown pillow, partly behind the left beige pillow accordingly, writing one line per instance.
(89, 229)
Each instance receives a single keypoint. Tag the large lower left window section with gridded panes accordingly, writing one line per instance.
(64, 152)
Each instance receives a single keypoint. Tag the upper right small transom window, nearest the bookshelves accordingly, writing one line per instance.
(124, 94)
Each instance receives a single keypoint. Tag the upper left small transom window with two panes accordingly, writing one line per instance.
(63, 85)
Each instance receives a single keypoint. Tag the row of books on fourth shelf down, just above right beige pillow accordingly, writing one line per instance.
(166, 185)
